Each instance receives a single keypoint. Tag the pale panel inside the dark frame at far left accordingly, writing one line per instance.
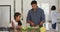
(4, 16)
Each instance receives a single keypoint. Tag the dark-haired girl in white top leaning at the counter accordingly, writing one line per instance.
(16, 23)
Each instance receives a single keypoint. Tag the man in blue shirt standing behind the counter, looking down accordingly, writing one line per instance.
(35, 15)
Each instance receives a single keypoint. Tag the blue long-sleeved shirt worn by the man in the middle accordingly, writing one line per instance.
(36, 16)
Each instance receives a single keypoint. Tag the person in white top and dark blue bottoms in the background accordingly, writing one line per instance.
(54, 17)
